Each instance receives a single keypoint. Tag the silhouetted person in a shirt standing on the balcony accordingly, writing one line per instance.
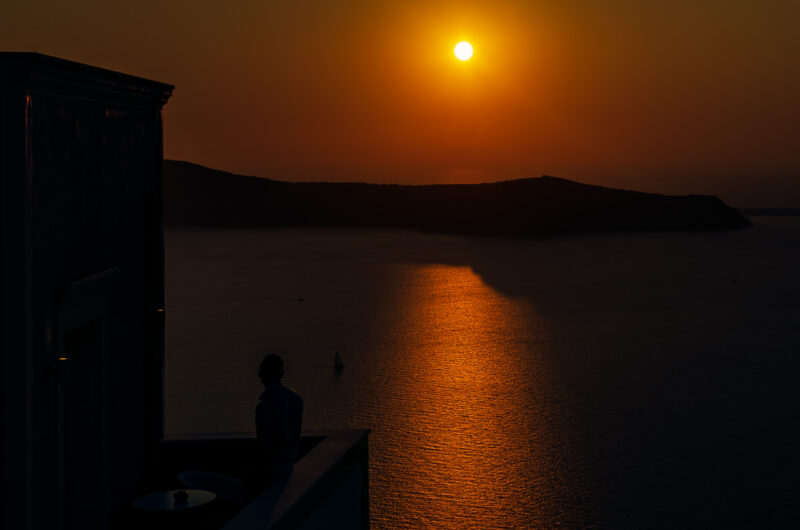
(279, 420)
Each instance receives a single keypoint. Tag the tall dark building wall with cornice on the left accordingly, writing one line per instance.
(82, 289)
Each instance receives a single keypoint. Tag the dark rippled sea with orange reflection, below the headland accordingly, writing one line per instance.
(631, 380)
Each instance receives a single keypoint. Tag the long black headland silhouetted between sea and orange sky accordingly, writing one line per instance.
(198, 196)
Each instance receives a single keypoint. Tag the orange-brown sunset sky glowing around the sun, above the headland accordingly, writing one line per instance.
(671, 96)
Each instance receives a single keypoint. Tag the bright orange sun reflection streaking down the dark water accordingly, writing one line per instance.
(458, 422)
